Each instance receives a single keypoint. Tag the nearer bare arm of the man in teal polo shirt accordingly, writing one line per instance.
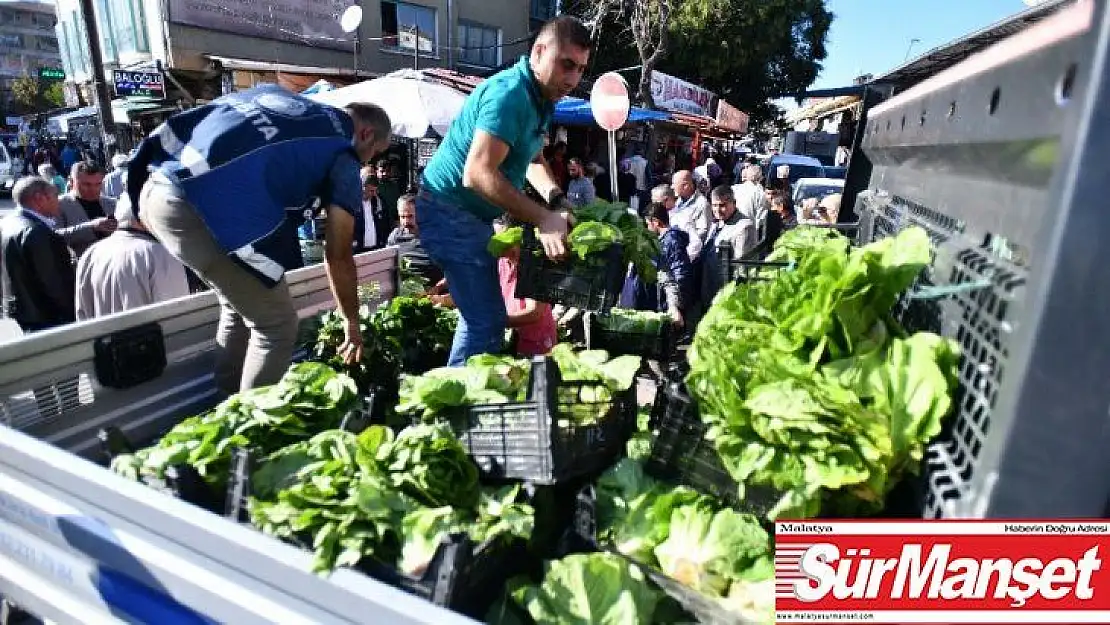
(482, 176)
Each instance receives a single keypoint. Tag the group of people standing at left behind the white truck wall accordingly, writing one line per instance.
(72, 251)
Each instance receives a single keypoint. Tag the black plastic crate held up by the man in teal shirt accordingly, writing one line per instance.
(592, 285)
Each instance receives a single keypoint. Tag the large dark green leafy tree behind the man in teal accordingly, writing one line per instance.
(748, 52)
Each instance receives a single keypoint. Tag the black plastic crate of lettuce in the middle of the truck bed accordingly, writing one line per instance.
(536, 440)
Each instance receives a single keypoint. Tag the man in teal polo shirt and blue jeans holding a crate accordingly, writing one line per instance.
(479, 174)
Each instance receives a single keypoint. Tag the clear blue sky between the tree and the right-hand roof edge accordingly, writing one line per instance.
(873, 36)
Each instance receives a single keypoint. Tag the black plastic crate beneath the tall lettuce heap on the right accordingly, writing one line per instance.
(681, 453)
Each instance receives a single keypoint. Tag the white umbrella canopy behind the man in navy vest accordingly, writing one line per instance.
(415, 104)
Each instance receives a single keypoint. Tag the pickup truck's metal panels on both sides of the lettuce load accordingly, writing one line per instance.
(1002, 159)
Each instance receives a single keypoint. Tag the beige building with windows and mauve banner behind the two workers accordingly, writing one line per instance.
(295, 43)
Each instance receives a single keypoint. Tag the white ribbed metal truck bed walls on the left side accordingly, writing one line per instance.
(79, 545)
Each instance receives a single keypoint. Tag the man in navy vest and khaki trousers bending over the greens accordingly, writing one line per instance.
(217, 186)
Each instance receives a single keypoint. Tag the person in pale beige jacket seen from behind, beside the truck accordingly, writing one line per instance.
(127, 270)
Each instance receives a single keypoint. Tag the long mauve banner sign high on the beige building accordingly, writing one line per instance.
(312, 23)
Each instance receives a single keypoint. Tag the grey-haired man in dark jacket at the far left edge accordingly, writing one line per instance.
(39, 276)
